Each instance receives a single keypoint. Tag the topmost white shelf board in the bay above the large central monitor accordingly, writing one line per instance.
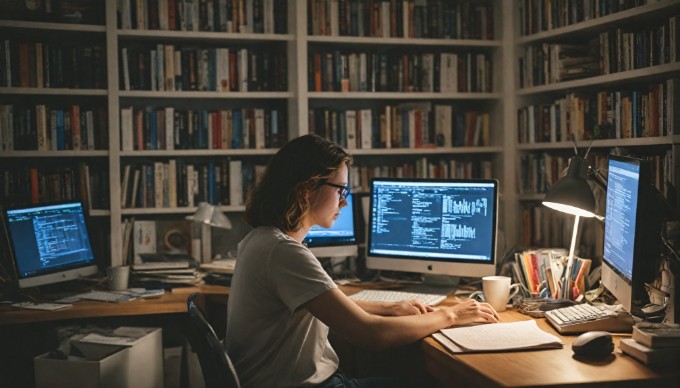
(365, 40)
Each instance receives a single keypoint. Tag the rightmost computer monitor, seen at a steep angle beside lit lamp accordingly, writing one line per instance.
(632, 231)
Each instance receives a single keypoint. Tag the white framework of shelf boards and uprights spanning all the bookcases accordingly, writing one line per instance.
(502, 102)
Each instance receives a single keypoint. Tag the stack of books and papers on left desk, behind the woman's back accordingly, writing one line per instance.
(165, 271)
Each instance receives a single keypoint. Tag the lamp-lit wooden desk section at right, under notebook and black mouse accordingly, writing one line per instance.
(539, 367)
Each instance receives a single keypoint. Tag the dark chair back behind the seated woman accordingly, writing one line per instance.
(218, 371)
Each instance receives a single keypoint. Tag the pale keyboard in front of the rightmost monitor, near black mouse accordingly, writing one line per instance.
(585, 317)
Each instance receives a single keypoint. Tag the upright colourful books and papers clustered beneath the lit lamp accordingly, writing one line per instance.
(542, 272)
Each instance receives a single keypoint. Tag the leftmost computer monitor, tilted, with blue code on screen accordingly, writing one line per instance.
(49, 243)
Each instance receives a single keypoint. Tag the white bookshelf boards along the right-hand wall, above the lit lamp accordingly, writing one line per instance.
(634, 19)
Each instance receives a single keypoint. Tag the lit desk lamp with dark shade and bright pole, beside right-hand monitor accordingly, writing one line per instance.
(572, 195)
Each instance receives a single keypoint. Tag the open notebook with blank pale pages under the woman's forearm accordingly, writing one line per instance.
(523, 335)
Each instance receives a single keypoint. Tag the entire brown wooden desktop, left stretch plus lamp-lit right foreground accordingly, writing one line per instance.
(523, 368)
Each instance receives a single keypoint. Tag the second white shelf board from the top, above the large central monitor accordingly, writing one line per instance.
(403, 96)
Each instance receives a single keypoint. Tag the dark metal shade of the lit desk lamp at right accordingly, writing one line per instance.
(572, 193)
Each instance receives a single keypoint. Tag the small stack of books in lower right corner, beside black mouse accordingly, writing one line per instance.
(654, 344)
